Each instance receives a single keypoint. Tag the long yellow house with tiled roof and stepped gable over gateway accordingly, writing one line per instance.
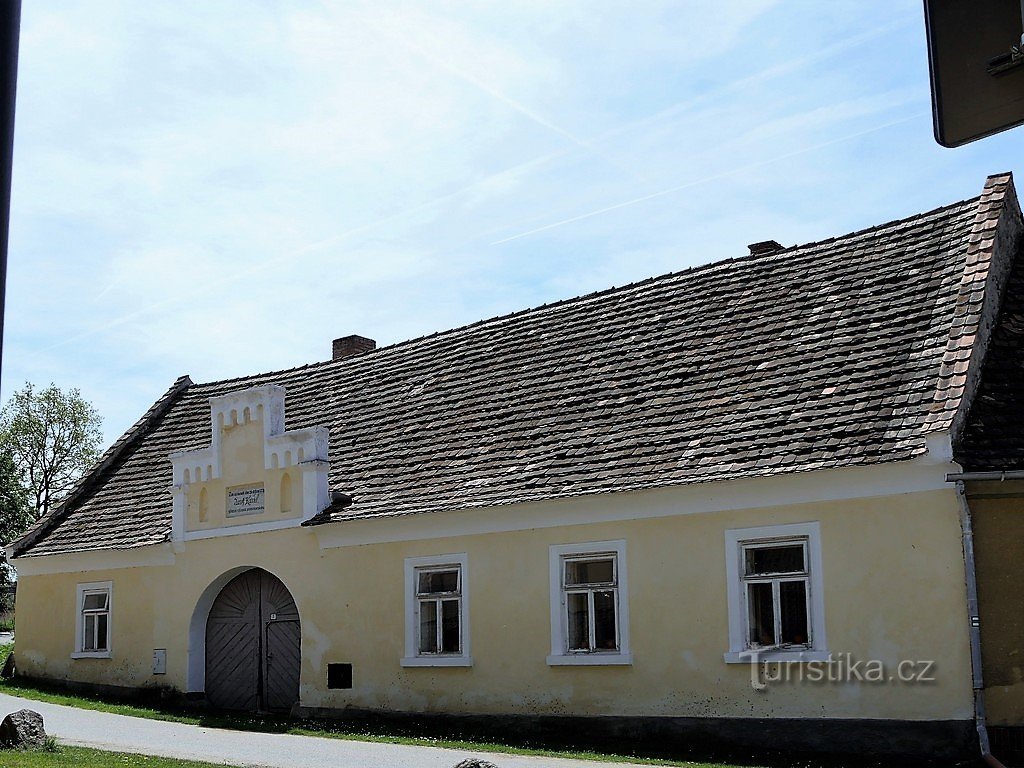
(766, 499)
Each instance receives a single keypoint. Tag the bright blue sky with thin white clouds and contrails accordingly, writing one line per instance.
(221, 189)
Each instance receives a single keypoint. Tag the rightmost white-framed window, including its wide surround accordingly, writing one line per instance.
(776, 593)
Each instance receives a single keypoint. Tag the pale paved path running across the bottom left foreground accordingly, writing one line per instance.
(120, 734)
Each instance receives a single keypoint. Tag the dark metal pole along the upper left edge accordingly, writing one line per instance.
(11, 23)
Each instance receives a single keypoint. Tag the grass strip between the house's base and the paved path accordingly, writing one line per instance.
(428, 733)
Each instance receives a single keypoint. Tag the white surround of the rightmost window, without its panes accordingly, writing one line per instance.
(736, 540)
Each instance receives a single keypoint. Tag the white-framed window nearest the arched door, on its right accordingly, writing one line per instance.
(437, 617)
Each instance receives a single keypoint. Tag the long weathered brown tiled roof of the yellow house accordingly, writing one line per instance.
(835, 354)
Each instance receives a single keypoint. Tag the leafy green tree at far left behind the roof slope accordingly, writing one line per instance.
(53, 437)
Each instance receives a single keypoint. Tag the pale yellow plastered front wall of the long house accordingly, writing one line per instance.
(894, 590)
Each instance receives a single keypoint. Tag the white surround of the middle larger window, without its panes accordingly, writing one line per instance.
(561, 656)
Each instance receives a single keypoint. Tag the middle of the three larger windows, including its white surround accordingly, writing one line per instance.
(589, 612)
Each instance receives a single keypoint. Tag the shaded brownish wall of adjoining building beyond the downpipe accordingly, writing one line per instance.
(998, 511)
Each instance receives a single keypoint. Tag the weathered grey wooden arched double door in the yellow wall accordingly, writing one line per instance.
(253, 646)
